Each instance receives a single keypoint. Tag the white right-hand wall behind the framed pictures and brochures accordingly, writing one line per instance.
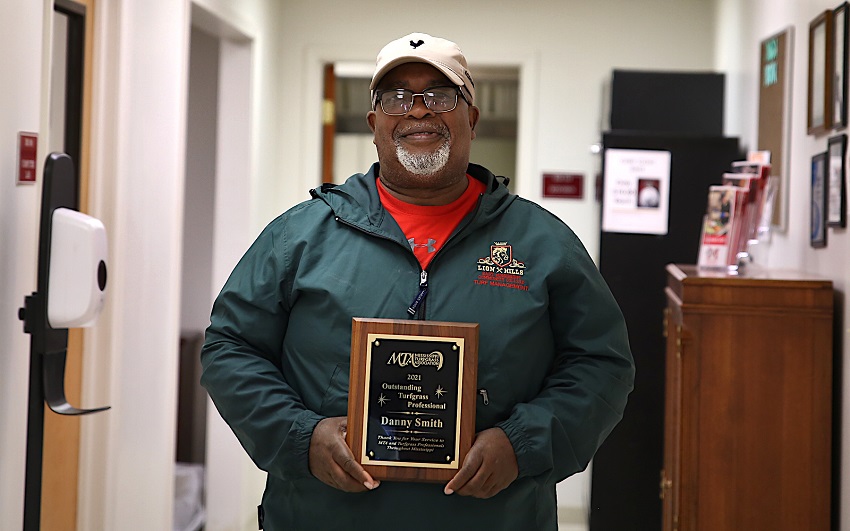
(742, 25)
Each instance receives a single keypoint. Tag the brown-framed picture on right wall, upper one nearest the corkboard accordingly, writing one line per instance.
(820, 74)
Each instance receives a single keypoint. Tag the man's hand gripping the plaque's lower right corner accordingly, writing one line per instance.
(489, 467)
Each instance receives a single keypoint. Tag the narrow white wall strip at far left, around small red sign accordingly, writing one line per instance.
(21, 109)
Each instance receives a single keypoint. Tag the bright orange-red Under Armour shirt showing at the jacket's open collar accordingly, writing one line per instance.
(428, 227)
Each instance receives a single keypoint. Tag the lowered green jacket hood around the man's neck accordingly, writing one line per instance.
(357, 202)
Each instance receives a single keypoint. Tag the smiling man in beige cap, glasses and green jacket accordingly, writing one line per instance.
(423, 235)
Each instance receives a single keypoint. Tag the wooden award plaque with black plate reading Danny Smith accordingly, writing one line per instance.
(412, 394)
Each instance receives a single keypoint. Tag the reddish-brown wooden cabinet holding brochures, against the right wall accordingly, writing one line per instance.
(748, 407)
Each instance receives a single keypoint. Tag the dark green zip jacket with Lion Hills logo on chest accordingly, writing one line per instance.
(554, 361)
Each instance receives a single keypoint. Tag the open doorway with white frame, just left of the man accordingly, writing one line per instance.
(210, 475)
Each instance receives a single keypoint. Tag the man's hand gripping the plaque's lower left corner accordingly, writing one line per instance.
(331, 460)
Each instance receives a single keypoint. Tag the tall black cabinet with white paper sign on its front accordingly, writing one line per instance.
(625, 471)
